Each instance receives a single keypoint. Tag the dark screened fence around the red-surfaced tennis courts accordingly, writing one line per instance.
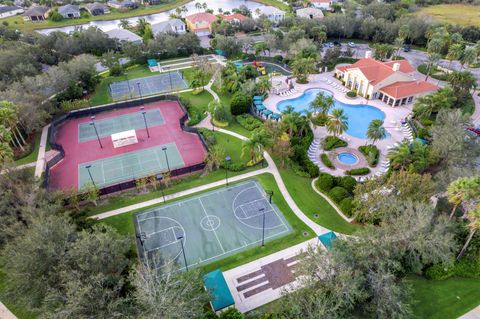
(60, 120)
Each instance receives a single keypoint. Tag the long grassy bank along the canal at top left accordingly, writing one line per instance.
(17, 22)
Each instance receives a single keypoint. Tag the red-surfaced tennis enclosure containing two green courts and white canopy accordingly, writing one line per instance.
(168, 147)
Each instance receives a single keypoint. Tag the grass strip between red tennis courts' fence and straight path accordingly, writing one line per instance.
(233, 147)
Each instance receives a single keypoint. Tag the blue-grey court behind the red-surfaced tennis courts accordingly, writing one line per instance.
(149, 85)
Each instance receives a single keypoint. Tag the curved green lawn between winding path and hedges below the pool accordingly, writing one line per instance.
(311, 203)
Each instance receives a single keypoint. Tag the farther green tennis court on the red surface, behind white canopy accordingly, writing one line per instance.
(116, 124)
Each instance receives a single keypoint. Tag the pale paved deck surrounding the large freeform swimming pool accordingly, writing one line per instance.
(393, 117)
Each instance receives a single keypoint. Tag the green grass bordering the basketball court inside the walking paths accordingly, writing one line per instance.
(124, 224)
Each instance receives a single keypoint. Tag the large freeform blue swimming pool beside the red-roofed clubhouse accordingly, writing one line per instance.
(359, 116)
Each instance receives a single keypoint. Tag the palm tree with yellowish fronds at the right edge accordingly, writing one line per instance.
(464, 189)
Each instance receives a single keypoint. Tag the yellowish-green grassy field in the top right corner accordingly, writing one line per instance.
(461, 14)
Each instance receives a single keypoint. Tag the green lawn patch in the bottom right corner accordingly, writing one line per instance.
(444, 299)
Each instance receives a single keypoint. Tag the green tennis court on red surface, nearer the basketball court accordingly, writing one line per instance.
(119, 168)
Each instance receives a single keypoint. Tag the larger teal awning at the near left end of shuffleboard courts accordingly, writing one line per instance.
(220, 296)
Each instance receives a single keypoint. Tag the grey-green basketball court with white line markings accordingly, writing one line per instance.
(213, 225)
